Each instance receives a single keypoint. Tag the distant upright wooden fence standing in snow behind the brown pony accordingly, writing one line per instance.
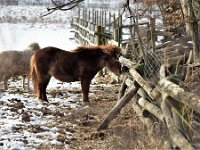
(97, 27)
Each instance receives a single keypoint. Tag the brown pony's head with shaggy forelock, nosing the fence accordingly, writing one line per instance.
(112, 58)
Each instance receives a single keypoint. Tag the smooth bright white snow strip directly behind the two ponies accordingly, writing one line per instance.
(18, 36)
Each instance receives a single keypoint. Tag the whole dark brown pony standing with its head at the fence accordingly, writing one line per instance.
(80, 64)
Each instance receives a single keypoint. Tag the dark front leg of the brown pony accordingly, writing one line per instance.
(85, 85)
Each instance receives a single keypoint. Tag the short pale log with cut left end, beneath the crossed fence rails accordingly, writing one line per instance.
(150, 107)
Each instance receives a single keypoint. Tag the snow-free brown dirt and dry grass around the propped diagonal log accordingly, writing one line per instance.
(126, 131)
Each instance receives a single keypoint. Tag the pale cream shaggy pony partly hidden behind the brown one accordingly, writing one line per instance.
(15, 63)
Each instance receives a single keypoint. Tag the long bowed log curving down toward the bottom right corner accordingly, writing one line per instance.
(175, 135)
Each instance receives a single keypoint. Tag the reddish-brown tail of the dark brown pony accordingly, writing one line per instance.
(33, 74)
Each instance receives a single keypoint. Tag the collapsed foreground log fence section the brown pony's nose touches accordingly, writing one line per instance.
(171, 97)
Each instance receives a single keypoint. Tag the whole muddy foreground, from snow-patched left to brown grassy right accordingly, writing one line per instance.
(64, 123)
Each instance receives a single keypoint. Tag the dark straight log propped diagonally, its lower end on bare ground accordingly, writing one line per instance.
(116, 109)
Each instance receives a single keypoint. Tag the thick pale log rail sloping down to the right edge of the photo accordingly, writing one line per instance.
(187, 98)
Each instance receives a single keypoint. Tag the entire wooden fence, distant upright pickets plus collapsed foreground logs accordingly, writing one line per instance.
(165, 100)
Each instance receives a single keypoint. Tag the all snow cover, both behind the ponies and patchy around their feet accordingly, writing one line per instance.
(25, 122)
